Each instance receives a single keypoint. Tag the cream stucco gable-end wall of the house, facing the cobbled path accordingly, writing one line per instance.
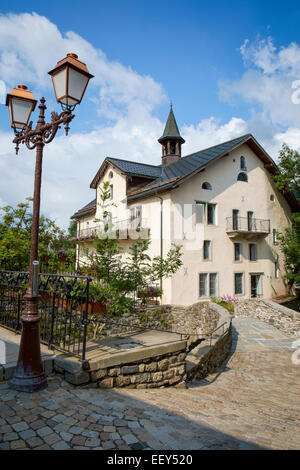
(229, 194)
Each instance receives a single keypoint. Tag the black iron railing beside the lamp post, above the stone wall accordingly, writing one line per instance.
(69, 321)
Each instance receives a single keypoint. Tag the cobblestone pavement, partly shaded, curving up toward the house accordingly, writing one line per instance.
(254, 402)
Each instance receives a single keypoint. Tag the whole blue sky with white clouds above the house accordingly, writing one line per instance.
(228, 68)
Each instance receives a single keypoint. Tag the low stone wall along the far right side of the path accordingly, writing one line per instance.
(277, 315)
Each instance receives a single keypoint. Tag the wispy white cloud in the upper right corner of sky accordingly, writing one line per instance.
(268, 81)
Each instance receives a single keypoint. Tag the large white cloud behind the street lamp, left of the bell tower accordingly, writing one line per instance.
(124, 97)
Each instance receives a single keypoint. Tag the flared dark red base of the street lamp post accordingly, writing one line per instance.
(29, 375)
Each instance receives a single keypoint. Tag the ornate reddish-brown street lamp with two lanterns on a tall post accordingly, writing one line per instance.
(70, 78)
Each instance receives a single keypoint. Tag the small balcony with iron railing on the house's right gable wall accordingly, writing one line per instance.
(247, 228)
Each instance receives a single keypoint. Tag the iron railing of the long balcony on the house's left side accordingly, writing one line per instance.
(119, 228)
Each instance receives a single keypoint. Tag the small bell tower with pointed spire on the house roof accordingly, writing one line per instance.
(171, 141)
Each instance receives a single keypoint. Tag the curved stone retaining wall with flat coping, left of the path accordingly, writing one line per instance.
(162, 365)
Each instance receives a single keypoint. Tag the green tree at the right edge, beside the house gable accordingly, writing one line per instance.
(288, 179)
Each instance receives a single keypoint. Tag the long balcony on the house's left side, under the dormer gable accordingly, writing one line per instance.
(126, 229)
